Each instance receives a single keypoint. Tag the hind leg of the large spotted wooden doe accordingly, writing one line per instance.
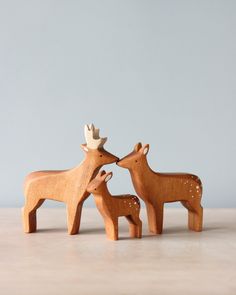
(195, 215)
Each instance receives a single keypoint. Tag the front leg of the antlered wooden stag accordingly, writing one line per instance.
(73, 217)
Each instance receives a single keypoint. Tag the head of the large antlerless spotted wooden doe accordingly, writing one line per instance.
(136, 158)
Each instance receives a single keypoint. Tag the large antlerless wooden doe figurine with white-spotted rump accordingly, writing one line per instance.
(158, 188)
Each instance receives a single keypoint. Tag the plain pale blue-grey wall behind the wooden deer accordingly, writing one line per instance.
(160, 72)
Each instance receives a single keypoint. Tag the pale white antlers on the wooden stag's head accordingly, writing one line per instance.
(92, 137)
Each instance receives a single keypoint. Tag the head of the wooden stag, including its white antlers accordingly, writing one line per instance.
(94, 147)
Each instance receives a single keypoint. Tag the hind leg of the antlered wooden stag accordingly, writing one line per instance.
(29, 215)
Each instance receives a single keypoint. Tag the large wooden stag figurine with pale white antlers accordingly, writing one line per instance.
(68, 186)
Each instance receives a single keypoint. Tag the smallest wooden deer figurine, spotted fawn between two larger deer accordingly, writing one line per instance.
(111, 207)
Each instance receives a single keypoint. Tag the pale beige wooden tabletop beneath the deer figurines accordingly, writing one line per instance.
(177, 262)
